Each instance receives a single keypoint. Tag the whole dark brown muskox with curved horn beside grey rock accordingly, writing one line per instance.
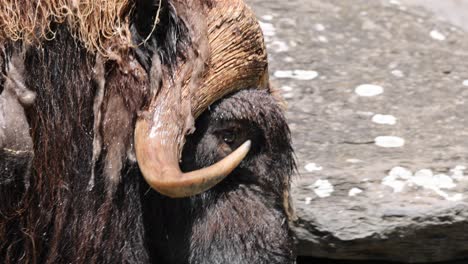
(103, 102)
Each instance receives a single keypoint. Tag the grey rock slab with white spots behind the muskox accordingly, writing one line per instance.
(422, 64)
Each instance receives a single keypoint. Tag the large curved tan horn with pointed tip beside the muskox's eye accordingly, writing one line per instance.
(237, 61)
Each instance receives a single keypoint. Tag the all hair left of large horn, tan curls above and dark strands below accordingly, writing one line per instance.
(77, 197)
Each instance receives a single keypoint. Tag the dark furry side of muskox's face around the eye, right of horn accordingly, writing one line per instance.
(243, 219)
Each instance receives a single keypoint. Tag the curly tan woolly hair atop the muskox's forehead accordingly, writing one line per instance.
(101, 25)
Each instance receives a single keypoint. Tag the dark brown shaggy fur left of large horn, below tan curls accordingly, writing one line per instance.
(60, 214)
